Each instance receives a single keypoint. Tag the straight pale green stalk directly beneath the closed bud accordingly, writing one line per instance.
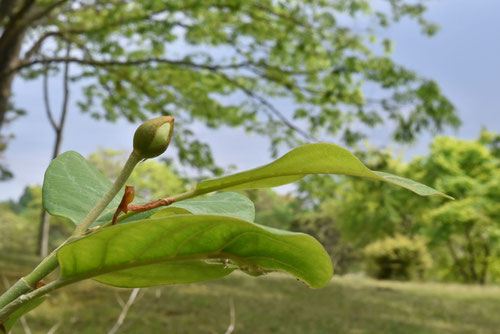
(132, 161)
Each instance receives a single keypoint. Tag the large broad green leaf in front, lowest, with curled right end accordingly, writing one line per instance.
(191, 248)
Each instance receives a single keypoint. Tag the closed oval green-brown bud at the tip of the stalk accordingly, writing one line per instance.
(152, 137)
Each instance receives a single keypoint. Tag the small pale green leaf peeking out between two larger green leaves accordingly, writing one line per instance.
(229, 204)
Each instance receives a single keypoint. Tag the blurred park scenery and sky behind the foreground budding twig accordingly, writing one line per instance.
(411, 87)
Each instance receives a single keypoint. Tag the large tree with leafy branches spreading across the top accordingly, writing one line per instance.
(227, 63)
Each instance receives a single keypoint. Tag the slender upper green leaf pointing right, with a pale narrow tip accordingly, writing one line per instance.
(309, 159)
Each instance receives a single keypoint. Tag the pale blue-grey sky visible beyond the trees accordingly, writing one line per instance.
(463, 58)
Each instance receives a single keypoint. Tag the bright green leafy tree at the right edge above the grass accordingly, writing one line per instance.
(468, 228)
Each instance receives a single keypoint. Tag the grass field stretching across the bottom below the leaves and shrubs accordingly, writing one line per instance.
(271, 304)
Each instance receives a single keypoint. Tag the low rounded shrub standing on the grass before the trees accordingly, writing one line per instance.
(398, 258)
